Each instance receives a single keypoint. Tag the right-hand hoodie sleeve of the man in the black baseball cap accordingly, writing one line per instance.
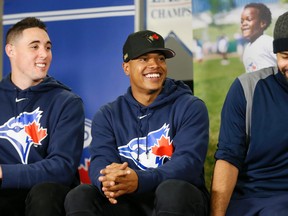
(191, 137)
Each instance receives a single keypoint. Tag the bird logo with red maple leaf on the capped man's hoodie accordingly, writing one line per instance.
(150, 151)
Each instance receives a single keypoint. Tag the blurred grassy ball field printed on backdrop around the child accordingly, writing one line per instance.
(213, 74)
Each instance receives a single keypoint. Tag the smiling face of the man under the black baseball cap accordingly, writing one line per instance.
(147, 74)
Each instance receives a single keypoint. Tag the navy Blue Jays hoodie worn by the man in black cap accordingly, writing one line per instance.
(166, 140)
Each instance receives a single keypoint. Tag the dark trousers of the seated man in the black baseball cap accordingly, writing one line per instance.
(171, 198)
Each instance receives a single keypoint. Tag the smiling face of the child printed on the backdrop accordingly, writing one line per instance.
(251, 25)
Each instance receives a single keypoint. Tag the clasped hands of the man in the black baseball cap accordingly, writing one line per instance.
(117, 180)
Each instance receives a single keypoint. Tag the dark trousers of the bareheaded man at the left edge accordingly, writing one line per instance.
(45, 199)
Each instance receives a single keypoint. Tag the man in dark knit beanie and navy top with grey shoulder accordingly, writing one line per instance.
(250, 175)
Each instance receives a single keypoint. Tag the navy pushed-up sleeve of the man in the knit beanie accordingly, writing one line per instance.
(232, 137)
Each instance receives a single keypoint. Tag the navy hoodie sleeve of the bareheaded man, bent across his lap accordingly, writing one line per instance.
(63, 151)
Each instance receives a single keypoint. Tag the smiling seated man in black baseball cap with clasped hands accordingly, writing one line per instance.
(149, 145)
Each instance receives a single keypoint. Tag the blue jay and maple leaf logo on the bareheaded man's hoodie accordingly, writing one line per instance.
(24, 131)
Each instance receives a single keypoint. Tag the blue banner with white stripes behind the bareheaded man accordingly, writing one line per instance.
(87, 39)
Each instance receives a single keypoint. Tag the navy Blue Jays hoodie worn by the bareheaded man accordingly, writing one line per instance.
(41, 133)
